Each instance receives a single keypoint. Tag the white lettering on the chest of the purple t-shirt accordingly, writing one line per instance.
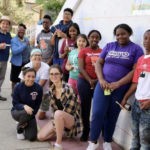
(117, 54)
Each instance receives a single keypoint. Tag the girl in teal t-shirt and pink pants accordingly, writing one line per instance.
(72, 62)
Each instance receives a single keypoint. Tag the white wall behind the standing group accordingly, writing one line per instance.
(104, 15)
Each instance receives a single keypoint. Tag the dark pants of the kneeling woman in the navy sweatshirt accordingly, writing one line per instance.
(27, 124)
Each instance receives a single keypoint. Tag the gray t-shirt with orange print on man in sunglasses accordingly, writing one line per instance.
(43, 39)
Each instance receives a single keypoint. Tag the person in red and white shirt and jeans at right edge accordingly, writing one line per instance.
(141, 106)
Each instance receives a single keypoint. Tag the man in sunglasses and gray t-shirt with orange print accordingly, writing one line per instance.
(43, 40)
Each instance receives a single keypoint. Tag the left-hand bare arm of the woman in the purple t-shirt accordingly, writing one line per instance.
(99, 72)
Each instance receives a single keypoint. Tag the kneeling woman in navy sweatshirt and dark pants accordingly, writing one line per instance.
(27, 98)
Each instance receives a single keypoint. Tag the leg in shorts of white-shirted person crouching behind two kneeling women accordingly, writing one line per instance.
(44, 107)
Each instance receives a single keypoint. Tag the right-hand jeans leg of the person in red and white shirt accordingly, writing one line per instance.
(144, 128)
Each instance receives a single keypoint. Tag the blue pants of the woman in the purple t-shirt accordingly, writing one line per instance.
(105, 113)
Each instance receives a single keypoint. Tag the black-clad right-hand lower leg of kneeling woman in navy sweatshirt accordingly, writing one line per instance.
(30, 131)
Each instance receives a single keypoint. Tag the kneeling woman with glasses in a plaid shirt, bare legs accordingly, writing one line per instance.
(66, 110)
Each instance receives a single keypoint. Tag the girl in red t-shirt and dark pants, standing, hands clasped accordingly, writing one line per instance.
(87, 79)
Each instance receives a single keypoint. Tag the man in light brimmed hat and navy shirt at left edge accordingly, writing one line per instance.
(5, 39)
